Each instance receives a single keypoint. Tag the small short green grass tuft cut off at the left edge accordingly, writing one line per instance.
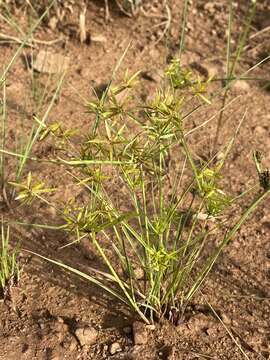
(9, 268)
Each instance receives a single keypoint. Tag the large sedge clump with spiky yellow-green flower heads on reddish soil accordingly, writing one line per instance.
(160, 236)
